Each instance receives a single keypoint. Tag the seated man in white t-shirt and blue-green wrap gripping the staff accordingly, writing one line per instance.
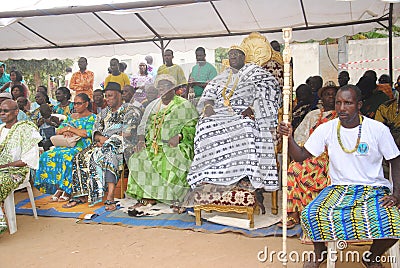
(360, 203)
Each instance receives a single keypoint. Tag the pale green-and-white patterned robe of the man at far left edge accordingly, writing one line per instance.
(20, 143)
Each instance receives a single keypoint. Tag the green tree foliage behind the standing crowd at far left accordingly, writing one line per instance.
(38, 72)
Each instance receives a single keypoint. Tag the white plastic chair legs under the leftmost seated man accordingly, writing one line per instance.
(9, 206)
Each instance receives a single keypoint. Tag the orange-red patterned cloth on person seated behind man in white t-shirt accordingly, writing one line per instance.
(306, 179)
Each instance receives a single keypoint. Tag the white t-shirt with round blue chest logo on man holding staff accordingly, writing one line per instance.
(364, 166)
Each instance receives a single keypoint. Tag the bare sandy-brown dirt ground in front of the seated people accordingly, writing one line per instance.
(58, 242)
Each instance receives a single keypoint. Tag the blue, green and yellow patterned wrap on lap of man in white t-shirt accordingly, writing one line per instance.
(343, 212)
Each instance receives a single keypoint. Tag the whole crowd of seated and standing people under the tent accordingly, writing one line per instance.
(343, 141)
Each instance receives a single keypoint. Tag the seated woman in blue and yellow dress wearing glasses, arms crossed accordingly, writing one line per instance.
(55, 167)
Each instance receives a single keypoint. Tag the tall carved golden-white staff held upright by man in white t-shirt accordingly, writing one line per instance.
(287, 35)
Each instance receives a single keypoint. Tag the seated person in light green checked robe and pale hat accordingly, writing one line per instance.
(164, 150)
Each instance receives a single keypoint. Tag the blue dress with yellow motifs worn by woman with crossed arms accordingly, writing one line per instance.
(55, 165)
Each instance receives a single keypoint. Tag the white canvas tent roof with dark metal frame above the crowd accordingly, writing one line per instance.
(94, 28)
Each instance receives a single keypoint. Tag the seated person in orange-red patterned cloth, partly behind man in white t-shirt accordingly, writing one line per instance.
(306, 179)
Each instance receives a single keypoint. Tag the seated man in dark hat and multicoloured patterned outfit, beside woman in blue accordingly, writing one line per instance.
(96, 169)
